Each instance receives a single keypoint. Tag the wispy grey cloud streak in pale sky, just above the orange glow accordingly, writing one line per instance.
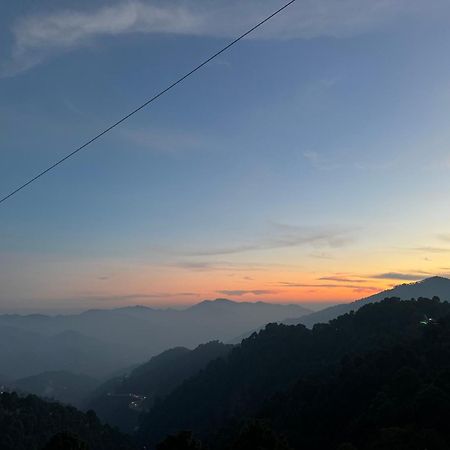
(282, 236)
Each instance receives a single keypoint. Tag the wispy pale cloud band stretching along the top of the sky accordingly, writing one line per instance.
(39, 36)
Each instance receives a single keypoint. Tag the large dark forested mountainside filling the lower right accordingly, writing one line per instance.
(303, 369)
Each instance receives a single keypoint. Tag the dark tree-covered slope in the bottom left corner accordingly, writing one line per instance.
(34, 424)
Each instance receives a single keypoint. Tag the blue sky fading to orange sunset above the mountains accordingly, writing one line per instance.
(310, 163)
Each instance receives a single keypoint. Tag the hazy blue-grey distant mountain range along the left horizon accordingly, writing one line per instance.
(99, 342)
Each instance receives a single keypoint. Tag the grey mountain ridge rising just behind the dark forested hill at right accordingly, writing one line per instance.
(428, 288)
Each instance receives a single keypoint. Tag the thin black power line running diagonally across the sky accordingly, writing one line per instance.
(151, 100)
